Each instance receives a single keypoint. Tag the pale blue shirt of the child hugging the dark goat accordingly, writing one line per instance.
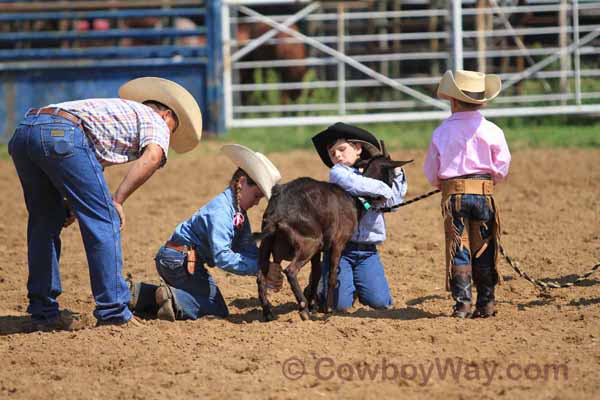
(371, 227)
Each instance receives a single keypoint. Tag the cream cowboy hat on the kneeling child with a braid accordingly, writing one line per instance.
(256, 165)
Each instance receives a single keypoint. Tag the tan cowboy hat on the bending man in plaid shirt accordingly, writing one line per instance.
(189, 131)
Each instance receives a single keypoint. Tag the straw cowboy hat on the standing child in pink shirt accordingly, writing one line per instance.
(469, 86)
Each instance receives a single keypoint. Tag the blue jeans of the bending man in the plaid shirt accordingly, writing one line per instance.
(54, 160)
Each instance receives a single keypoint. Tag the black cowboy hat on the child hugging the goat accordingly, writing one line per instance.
(339, 130)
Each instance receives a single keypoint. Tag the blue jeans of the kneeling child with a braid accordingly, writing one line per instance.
(195, 295)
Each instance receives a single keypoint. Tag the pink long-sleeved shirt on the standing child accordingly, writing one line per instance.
(464, 144)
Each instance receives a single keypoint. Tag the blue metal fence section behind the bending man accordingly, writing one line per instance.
(55, 51)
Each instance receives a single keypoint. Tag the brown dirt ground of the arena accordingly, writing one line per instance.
(538, 346)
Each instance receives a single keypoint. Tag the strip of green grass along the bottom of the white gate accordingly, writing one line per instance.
(535, 132)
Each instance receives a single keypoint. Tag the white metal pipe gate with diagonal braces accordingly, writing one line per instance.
(369, 61)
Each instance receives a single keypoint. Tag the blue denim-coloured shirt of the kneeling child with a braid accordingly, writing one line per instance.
(218, 244)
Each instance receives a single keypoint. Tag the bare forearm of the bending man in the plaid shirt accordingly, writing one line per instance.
(141, 169)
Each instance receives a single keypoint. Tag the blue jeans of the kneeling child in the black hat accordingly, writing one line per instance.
(360, 272)
